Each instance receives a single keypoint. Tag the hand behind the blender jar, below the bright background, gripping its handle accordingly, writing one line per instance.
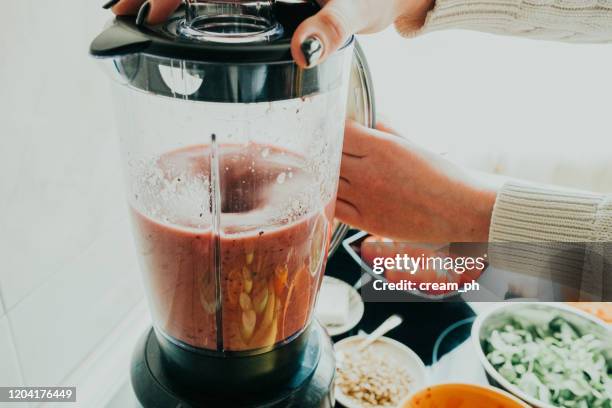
(392, 188)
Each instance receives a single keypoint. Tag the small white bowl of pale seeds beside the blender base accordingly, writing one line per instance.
(381, 375)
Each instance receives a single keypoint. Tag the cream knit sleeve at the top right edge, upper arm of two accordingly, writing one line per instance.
(560, 20)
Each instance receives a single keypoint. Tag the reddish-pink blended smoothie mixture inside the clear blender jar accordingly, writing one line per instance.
(252, 284)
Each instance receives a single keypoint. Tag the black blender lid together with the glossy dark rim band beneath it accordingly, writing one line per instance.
(224, 51)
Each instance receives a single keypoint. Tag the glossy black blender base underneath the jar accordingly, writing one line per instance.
(311, 386)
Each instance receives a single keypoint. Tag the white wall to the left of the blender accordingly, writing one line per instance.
(68, 273)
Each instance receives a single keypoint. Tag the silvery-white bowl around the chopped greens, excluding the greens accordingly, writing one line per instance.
(495, 316)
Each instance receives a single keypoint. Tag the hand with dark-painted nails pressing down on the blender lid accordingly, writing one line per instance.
(318, 36)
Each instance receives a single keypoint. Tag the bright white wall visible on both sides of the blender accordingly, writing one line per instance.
(68, 273)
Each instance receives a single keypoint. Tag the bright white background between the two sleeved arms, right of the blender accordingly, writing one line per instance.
(536, 110)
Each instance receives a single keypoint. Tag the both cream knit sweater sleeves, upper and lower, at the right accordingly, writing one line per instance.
(524, 213)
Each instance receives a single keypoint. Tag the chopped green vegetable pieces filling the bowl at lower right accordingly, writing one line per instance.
(554, 362)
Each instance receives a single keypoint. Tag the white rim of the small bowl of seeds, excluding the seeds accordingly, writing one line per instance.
(389, 349)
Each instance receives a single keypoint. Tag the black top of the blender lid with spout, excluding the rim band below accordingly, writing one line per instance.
(238, 32)
